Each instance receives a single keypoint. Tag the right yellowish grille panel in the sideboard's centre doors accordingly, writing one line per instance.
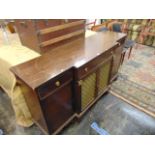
(103, 77)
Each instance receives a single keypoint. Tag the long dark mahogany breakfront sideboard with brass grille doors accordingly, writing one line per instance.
(65, 82)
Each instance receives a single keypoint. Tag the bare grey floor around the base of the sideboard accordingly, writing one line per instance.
(111, 113)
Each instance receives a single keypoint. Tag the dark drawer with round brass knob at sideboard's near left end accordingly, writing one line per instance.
(53, 85)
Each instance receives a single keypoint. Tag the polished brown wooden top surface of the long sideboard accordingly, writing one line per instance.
(73, 54)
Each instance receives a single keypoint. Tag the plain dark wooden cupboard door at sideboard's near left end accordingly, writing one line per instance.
(57, 107)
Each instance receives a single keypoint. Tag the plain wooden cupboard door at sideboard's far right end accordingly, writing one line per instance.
(116, 60)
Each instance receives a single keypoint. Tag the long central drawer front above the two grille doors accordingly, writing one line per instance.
(91, 66)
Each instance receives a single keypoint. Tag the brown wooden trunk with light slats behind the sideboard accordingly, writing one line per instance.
(43, 34)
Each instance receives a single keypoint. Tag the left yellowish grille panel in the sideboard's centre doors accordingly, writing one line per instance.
(88, 89)
